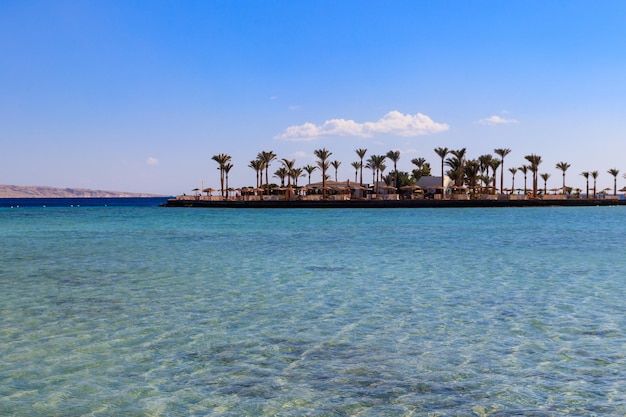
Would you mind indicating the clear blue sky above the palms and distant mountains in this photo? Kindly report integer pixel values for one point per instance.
(138, 95)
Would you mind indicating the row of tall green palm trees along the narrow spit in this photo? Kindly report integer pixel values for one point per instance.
(461, 170)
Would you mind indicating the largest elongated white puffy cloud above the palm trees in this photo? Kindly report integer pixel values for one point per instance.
(393, 123)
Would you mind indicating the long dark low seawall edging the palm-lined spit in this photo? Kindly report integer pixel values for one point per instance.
(419, 203)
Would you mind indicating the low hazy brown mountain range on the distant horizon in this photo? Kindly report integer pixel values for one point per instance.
(35, 191)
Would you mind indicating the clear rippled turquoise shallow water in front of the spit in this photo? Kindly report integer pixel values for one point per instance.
(151, 311)
